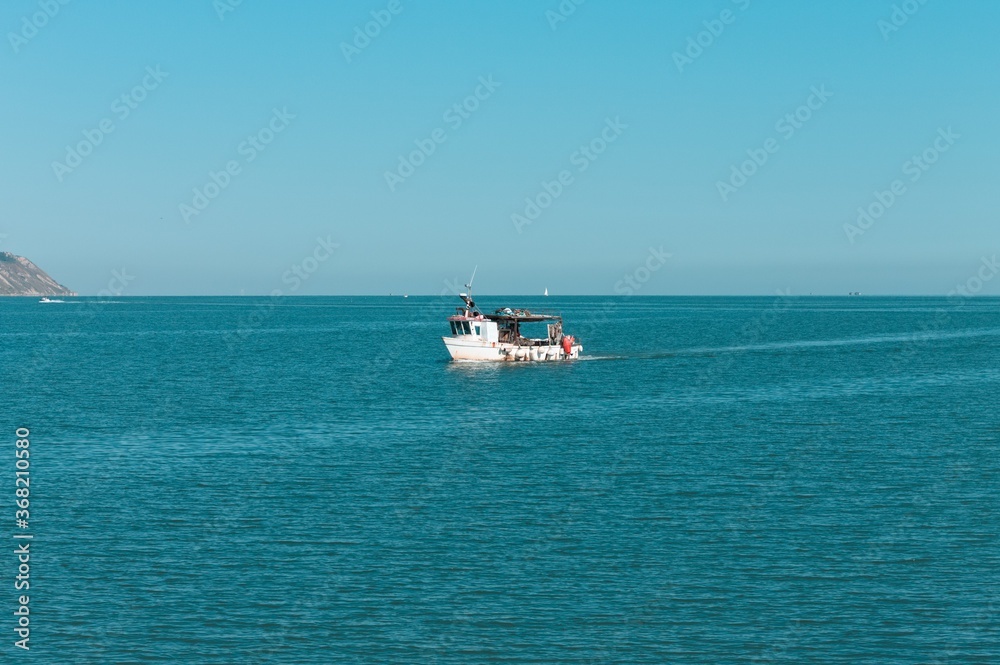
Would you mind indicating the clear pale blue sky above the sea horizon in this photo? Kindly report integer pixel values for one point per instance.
(656, 185)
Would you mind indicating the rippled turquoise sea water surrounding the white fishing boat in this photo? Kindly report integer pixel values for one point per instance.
(721, 480)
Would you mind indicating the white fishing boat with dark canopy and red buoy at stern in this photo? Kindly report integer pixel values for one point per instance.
(498, 336)
